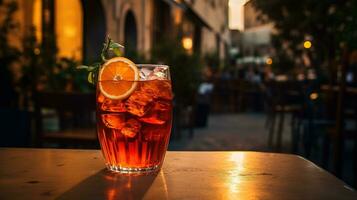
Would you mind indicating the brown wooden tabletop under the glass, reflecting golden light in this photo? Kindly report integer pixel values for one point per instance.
(80, 174)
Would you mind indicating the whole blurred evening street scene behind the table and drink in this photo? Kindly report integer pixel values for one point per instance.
(275, 76)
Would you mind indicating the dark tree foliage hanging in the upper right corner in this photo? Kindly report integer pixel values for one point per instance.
(327, 23)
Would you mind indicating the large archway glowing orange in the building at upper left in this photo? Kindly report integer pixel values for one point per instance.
(79, 27)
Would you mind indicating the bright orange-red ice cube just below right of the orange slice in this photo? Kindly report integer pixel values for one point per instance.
(138, 103)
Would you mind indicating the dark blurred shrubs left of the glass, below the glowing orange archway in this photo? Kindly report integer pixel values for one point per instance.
(43, 71)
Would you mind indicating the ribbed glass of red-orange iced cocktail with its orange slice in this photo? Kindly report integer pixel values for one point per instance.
(134, 115)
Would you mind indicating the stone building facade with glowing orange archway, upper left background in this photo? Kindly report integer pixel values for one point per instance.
(79, 27)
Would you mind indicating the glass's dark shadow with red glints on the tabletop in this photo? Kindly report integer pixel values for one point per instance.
(109, 185)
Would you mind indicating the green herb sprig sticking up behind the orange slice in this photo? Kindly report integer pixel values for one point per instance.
(93, 69)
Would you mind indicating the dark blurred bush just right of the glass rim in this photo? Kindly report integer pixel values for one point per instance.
(185, 69)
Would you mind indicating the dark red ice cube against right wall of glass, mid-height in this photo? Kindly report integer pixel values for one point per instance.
(158, 113)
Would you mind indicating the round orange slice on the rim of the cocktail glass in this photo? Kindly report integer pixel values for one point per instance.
(118, 78)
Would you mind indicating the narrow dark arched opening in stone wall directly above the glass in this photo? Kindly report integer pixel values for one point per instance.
(130, 34)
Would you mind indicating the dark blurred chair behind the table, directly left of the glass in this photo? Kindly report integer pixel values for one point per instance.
(65, 120)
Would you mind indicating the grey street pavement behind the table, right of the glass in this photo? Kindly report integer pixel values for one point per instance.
(229, 132)
